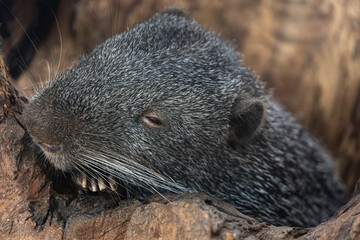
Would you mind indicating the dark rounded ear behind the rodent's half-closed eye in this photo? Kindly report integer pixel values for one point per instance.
(247, 119)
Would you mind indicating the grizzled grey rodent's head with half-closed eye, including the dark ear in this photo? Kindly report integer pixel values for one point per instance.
(166, 94)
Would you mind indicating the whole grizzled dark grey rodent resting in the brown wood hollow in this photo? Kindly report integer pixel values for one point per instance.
(168, 107)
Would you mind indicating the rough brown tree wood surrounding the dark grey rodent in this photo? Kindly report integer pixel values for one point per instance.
(308, 51)
